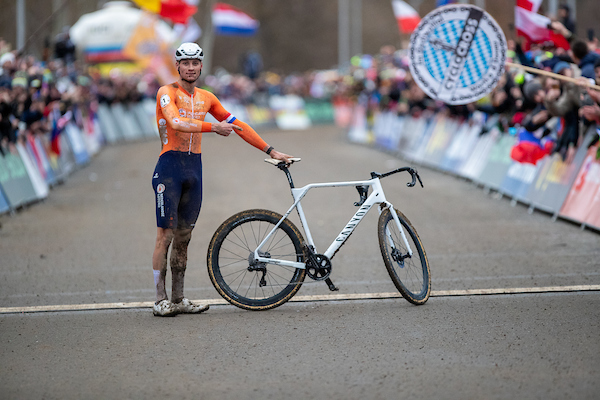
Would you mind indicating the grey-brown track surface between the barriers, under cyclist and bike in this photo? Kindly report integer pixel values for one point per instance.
(91, 242)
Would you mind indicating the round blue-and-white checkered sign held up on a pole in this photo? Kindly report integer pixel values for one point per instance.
(457, 54)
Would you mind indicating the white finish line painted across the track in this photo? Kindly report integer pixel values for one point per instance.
(298, 299)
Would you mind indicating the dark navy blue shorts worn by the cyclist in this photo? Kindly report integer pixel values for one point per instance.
(177, 183)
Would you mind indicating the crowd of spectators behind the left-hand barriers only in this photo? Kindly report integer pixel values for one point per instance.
(38, 97)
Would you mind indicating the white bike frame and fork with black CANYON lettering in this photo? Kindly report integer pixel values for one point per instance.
(376, 197)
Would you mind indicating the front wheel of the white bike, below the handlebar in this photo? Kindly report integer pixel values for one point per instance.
(410, 273)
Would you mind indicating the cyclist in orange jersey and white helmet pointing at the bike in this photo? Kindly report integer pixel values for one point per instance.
(177, 179)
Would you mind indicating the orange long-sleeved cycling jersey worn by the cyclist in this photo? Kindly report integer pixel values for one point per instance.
(180, 118)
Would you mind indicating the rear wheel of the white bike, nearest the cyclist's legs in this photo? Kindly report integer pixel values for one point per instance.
(244, 282)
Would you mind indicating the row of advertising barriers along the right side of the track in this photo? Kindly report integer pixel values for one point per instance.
(478, 151)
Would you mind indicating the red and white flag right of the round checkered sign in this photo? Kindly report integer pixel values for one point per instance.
(534, 27)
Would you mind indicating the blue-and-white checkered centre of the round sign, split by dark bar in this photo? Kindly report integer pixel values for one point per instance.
(437, 60)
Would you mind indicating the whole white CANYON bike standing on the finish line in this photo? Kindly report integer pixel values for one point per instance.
(258, 259)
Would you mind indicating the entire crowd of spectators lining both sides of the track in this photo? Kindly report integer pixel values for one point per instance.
(35, 95)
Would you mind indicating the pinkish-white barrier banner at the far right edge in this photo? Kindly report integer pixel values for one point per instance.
(583, 201)
